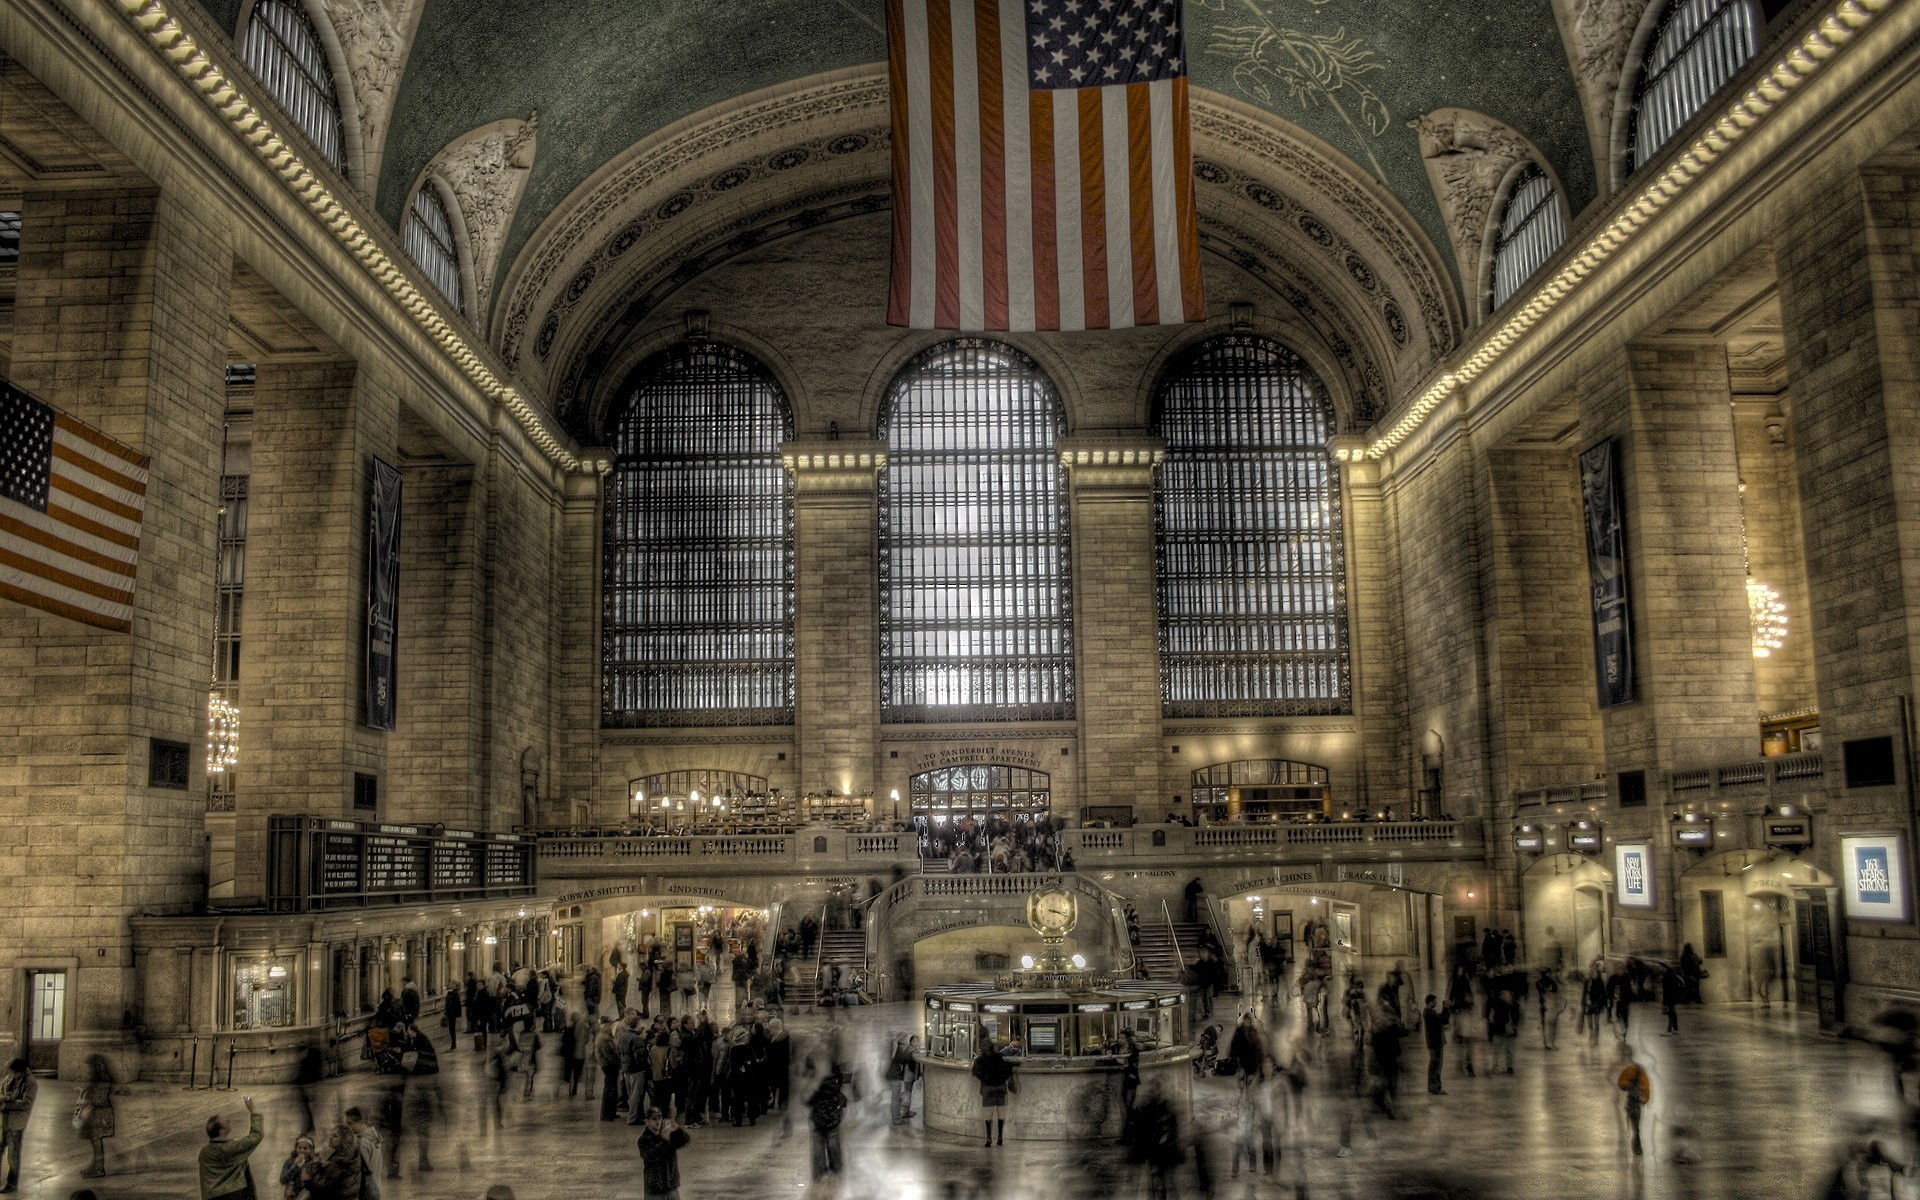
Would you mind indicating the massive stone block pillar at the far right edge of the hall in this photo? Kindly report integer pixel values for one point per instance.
(1848, 258)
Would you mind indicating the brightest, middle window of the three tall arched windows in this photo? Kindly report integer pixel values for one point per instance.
(976, 617)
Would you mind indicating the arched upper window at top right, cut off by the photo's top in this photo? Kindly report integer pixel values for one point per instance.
(1696, 49)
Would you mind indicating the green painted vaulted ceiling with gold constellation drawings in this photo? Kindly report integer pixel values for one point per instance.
(606, 74)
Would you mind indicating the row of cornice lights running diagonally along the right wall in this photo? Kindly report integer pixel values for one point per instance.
(1840, 26)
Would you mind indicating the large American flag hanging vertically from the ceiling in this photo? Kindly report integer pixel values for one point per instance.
(1042, 166)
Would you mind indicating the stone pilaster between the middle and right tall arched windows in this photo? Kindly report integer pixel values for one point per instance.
(1116, 623)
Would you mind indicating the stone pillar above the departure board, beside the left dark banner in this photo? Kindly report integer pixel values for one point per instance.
(318, 429)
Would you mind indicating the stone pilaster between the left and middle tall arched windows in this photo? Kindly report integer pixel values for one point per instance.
(836, 636)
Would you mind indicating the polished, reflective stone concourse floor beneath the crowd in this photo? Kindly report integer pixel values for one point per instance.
(1767, 1097)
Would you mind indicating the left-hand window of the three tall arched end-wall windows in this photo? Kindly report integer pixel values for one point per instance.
(698, 579)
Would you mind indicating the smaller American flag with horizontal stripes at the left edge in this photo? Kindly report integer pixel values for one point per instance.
(70, 514)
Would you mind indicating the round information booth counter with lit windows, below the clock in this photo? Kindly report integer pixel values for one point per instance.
(1070, 1072)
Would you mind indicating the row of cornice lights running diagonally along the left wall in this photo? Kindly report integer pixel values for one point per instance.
(220, 93)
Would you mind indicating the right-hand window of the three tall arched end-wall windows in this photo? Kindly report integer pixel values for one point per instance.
(1251, 554)
